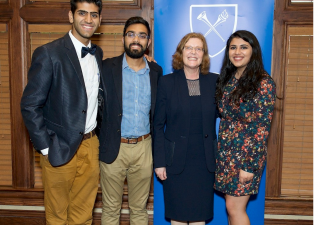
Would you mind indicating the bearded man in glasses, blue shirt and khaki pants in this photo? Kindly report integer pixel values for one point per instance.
(129, 89)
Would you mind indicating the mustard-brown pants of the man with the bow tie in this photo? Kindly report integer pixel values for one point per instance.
(70, 190)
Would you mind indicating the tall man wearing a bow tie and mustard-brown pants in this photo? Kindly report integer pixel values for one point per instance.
(59, 108)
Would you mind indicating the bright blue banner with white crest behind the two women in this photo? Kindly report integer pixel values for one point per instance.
(216, 20)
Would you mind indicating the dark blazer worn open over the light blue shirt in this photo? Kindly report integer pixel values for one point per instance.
(110, 132)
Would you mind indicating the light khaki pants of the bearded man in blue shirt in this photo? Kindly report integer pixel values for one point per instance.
(134, 162)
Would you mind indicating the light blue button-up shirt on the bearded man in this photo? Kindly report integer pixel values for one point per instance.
(136, 100)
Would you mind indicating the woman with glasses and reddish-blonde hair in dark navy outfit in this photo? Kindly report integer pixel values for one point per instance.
(184, 133)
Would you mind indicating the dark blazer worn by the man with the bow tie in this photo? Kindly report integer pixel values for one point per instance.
(54, 102)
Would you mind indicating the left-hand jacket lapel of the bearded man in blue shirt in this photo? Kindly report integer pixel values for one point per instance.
(117, 77)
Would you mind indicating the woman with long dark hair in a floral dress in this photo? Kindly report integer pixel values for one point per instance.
(245, 96)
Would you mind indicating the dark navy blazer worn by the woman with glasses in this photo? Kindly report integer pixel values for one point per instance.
(172, 113)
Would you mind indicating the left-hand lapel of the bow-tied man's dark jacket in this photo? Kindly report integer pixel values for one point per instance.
(73, 57)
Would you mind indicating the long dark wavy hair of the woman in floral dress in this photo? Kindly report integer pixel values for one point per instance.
(249, 81)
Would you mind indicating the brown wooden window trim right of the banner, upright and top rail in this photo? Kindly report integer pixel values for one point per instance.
(284, 14)
